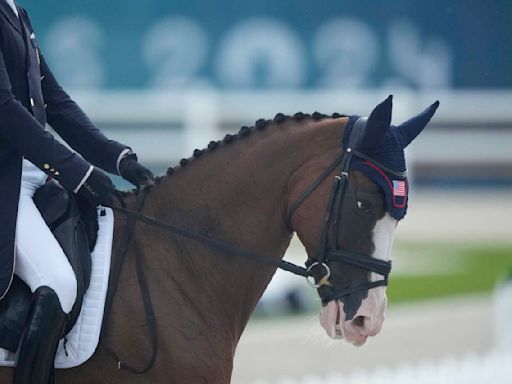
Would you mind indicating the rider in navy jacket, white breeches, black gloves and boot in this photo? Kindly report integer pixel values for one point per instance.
(30, 97)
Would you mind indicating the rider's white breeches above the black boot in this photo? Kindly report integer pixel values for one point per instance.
(40, 260)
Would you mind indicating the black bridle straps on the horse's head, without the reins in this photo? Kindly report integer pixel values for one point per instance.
(328, 251)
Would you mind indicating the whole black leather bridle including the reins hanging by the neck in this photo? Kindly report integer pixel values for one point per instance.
(327, 251)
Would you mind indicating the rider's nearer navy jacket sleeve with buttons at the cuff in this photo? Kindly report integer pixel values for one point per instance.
(24, 133)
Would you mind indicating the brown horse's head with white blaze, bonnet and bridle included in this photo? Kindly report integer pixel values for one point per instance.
(349, 252)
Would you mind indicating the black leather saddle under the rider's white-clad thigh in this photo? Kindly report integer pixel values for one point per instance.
(74, 223)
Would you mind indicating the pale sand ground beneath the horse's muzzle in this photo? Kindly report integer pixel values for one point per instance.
(297, 346)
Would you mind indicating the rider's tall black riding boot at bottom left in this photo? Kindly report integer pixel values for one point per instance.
(36, 352)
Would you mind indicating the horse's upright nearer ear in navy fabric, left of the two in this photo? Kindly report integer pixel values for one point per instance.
(377, 125)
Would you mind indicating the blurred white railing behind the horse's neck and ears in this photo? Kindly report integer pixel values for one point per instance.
(471, 126)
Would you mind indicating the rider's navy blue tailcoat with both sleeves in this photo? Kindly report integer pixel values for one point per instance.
(30, 97)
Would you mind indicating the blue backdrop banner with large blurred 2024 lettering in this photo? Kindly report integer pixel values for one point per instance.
(290, 44)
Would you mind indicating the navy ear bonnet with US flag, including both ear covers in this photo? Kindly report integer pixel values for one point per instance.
(378, 151)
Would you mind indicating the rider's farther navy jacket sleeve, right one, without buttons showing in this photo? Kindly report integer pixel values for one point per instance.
(73, 125)
